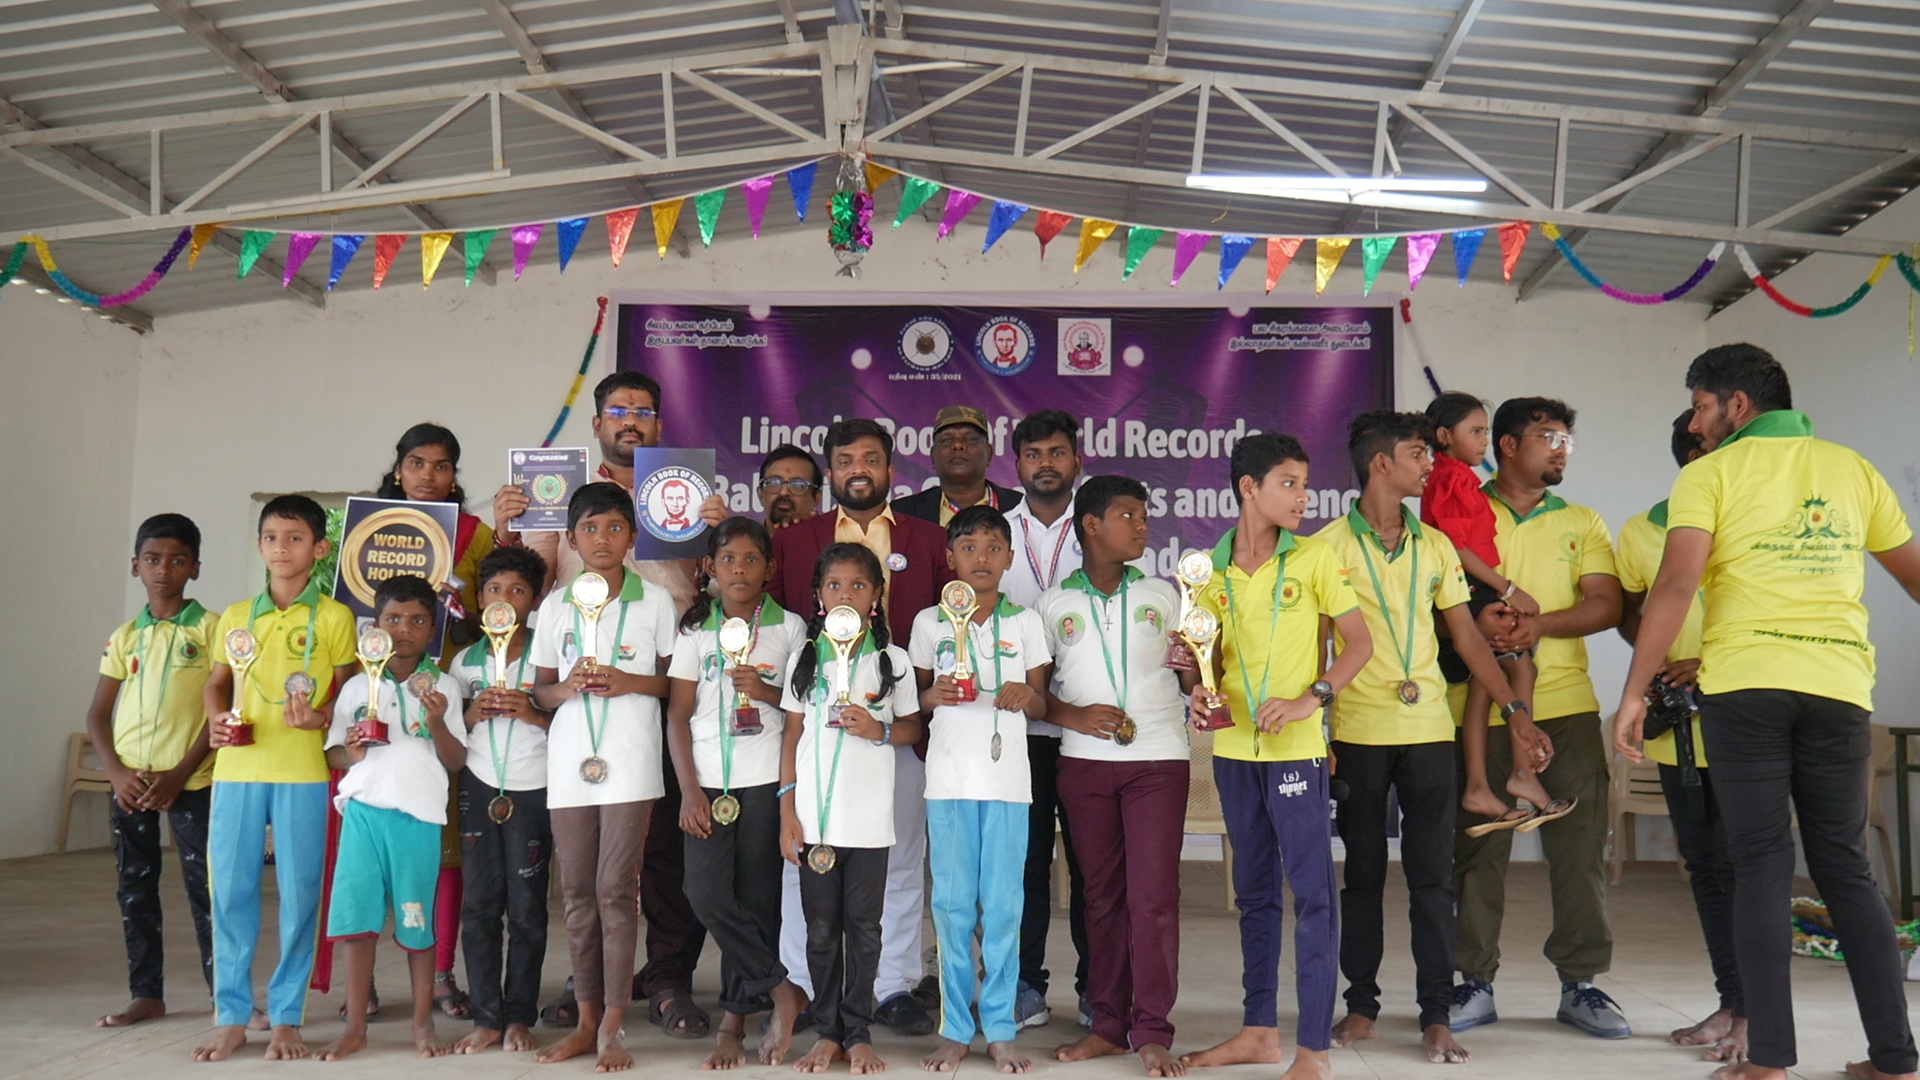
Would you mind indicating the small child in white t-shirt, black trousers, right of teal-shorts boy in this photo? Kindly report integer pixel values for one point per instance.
(506, 833)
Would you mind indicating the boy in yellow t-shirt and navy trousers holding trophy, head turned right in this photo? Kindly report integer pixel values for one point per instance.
(1270, 591)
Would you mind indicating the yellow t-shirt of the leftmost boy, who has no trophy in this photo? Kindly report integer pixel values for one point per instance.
(164, 668)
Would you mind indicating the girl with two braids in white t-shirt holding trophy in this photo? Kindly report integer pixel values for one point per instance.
(836, 800)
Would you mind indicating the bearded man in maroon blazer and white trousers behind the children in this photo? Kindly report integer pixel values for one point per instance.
(915, 560)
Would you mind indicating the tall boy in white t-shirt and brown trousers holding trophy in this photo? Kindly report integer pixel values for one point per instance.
(604, 762)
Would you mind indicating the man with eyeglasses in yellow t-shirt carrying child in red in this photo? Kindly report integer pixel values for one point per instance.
(1562, 554)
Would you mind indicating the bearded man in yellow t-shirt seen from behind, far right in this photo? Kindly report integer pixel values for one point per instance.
(1779, 526)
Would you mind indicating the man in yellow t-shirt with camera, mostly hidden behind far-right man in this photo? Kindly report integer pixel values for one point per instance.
(1700, 833)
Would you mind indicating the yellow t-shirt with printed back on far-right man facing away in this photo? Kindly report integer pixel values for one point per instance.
(1792, 522)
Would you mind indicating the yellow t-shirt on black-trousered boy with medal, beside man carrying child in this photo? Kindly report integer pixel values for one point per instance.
(1422, 576)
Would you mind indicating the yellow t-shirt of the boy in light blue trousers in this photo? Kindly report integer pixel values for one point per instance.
(314, 635)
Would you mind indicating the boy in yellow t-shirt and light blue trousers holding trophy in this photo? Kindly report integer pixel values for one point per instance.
(304, 650)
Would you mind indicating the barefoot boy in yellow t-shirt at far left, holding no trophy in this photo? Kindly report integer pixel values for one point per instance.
(151, 733)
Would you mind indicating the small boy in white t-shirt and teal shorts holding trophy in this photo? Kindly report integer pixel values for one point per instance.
(393, 806)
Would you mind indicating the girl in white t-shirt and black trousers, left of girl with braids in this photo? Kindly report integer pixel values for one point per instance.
(725, 729)
